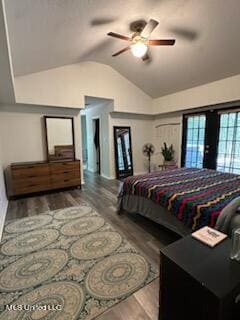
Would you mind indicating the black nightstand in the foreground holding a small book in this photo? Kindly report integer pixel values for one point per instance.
(198, 282)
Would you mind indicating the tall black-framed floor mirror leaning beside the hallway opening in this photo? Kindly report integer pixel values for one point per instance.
(123, 152)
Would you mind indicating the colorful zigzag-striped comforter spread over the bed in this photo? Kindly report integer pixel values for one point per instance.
(195, 196)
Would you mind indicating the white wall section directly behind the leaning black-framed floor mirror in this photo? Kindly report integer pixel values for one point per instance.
(141, 133)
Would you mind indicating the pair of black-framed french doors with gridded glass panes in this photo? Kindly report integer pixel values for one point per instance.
(211, 140)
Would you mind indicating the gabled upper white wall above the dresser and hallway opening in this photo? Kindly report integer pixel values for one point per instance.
(67, 86)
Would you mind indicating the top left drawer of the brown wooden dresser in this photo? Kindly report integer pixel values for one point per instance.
(29, 171)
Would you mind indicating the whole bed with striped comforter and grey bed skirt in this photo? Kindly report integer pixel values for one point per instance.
(184, 199)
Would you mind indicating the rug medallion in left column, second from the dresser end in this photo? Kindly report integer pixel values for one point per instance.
(29, 242)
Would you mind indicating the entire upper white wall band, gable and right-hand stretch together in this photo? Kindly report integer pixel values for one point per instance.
(67, 86)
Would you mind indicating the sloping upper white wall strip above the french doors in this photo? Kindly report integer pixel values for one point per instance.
(215, 92)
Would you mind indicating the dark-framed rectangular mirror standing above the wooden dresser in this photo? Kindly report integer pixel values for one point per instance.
(59, 138)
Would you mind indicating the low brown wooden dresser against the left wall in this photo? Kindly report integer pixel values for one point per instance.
(31, 177)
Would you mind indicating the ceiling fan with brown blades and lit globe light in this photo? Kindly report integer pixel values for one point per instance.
(139, 41)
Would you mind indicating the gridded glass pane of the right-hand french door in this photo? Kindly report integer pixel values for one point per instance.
(228, 155)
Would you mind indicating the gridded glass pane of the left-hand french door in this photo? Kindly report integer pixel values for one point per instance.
(195, 141)
